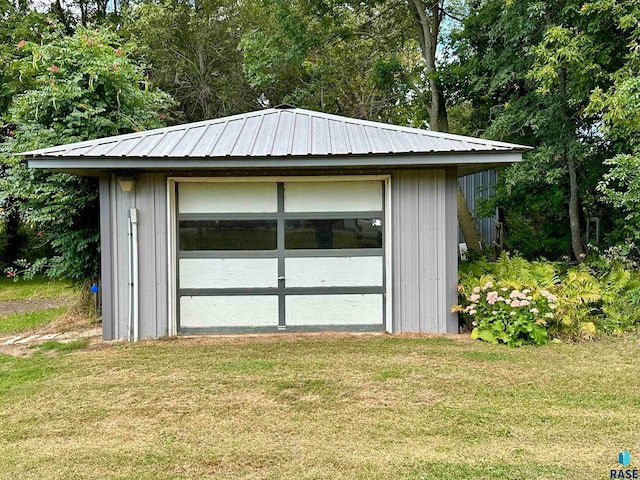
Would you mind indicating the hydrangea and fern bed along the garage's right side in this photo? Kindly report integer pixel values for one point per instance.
(516, 302)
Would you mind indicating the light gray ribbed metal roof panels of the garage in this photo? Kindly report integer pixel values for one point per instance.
(283, 131)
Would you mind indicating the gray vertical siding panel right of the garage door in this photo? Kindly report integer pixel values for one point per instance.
(424, 243)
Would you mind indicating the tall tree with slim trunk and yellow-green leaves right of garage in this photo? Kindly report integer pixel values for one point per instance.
(530, 68)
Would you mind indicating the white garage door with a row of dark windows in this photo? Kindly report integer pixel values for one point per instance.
(267, 256)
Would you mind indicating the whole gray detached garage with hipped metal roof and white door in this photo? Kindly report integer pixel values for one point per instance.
(278, 220)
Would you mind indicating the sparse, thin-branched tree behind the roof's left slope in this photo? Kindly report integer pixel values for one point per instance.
(192, 50)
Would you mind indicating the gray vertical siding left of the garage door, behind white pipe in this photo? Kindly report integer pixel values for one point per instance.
(150, 198)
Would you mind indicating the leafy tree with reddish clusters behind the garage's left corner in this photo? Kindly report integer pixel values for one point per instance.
(81, 86)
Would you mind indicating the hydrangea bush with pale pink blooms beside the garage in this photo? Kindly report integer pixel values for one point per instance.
(501, 314)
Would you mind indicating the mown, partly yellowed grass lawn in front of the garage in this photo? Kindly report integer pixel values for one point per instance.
(320, 407)
